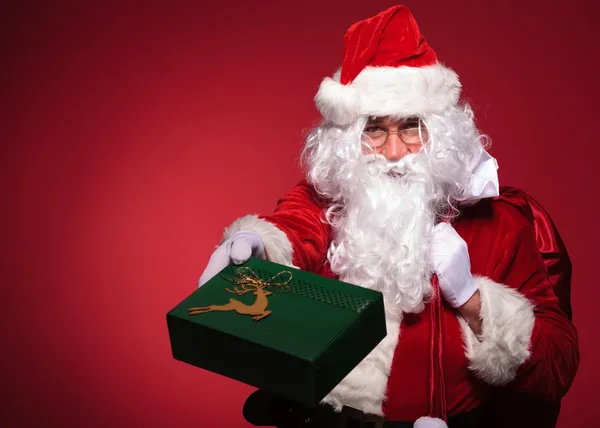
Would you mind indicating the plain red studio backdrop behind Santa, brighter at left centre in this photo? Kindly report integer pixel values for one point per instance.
(135, 133)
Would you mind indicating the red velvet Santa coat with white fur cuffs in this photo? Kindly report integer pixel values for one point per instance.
(528, 347)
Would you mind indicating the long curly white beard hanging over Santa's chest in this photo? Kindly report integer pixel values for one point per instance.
(382, 232)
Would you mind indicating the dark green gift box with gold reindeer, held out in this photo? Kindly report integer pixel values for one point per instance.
(290, 332)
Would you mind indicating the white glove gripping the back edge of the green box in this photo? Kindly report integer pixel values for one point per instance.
(237, 250)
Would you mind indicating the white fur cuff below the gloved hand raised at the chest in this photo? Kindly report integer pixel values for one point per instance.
(504, 344)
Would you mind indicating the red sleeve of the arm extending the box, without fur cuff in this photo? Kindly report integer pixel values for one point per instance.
(300, 215)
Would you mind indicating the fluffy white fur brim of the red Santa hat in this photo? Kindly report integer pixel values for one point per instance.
(384, 91)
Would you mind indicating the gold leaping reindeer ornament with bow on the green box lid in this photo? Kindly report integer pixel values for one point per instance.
(247, 281)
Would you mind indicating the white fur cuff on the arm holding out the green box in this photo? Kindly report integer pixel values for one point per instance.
(277, 245)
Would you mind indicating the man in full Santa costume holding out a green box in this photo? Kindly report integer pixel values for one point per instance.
(401, 196)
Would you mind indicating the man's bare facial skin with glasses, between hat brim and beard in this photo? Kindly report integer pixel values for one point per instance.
(394, 139)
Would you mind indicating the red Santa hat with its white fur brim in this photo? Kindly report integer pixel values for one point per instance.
(388, 69)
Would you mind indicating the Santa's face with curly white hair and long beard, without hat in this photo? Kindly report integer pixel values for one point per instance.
(389, 181)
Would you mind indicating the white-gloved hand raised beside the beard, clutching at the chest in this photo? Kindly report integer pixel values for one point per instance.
(449, 258)
